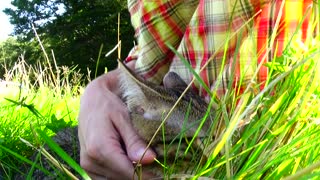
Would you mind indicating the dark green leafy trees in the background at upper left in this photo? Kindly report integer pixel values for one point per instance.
(74, 29)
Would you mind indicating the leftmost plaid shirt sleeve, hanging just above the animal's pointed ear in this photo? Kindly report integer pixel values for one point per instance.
(156, 24)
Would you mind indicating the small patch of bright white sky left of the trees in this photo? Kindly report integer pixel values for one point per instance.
(5, 27)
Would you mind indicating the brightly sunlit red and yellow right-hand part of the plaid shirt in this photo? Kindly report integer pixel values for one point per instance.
(279, 23)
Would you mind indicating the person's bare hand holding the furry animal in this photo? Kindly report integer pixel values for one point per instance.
(103, 125)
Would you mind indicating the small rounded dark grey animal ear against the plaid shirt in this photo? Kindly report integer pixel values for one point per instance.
(173, 80)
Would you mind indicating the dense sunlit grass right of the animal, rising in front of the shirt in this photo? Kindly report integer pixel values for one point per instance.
(272, 133)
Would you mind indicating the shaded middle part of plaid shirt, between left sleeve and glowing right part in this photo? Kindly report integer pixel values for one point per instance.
(214, 31)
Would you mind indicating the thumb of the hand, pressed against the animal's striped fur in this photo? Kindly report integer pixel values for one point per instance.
(134, 145)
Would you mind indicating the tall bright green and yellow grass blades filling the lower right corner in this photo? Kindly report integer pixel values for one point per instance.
(281, 125)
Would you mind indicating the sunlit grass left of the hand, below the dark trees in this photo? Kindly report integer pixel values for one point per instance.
(34, 97)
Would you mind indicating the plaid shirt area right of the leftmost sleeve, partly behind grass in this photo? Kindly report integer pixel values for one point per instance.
(239, 37)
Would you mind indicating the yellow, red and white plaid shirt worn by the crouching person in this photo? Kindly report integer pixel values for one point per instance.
(200, 29)
